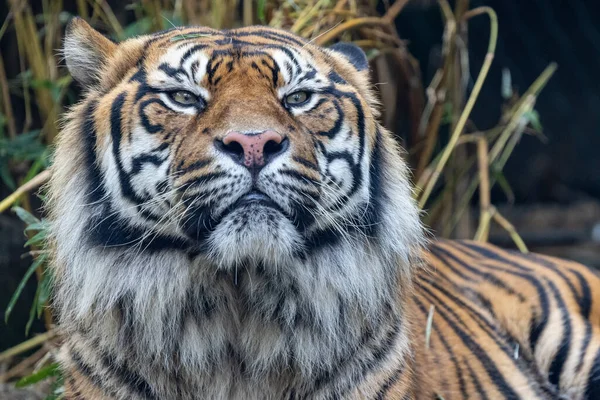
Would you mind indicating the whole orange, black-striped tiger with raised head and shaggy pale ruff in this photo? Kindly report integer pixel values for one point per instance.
(229, 220)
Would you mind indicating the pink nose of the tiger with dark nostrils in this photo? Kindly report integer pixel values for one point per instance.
(254, 150)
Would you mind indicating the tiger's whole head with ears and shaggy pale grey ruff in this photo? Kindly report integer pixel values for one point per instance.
(227, 188)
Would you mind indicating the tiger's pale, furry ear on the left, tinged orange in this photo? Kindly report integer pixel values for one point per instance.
(86, 51)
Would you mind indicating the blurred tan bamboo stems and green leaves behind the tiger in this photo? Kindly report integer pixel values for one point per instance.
(452, 159)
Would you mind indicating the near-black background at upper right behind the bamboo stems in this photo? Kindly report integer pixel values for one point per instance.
(532, 34)
